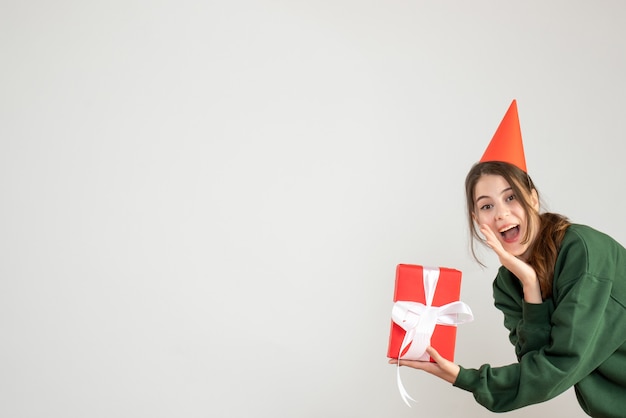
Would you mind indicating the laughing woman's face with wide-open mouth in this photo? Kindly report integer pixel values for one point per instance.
(497, 207)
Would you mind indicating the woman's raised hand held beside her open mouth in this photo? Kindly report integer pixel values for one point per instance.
(522, 270)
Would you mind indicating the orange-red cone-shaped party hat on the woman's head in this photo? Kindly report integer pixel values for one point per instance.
(506, 144)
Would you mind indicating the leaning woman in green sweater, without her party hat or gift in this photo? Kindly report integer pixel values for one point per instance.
(562, 290)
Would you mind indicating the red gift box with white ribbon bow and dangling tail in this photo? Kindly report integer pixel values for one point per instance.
(426, 312)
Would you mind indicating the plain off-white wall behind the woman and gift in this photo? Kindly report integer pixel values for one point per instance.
(203, 202)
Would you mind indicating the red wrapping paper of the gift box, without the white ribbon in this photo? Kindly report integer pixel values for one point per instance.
(410, 286)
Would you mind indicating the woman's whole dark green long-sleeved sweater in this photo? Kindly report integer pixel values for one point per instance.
(576, 338)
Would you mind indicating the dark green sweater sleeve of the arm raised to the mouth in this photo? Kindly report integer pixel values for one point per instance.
(528, 323)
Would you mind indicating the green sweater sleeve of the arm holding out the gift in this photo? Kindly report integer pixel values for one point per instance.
(580, 338)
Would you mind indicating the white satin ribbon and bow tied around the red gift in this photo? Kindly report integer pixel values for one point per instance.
(419, 321)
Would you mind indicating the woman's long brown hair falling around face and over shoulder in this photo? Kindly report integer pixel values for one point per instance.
(551, 227)
